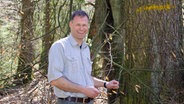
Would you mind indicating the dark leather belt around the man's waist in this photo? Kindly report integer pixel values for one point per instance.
(76, 99)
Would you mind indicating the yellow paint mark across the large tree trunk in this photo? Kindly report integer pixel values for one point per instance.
(155, 7)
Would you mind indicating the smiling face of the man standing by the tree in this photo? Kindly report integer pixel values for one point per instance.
(79, 27)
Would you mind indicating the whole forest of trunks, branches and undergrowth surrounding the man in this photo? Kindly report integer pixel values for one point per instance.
(137, 42)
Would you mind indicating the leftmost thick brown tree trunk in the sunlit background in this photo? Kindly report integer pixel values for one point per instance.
(26, 51)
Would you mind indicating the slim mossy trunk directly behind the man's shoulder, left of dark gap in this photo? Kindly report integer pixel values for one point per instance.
(95, 34)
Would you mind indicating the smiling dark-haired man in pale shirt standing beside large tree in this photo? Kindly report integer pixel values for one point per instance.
(70, 66)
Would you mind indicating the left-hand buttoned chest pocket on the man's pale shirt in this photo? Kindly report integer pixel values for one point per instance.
(71, 64)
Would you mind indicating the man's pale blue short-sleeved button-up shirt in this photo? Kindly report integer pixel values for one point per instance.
(67, 59)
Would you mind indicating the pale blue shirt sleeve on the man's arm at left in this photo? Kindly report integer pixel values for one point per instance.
(55, 62)
